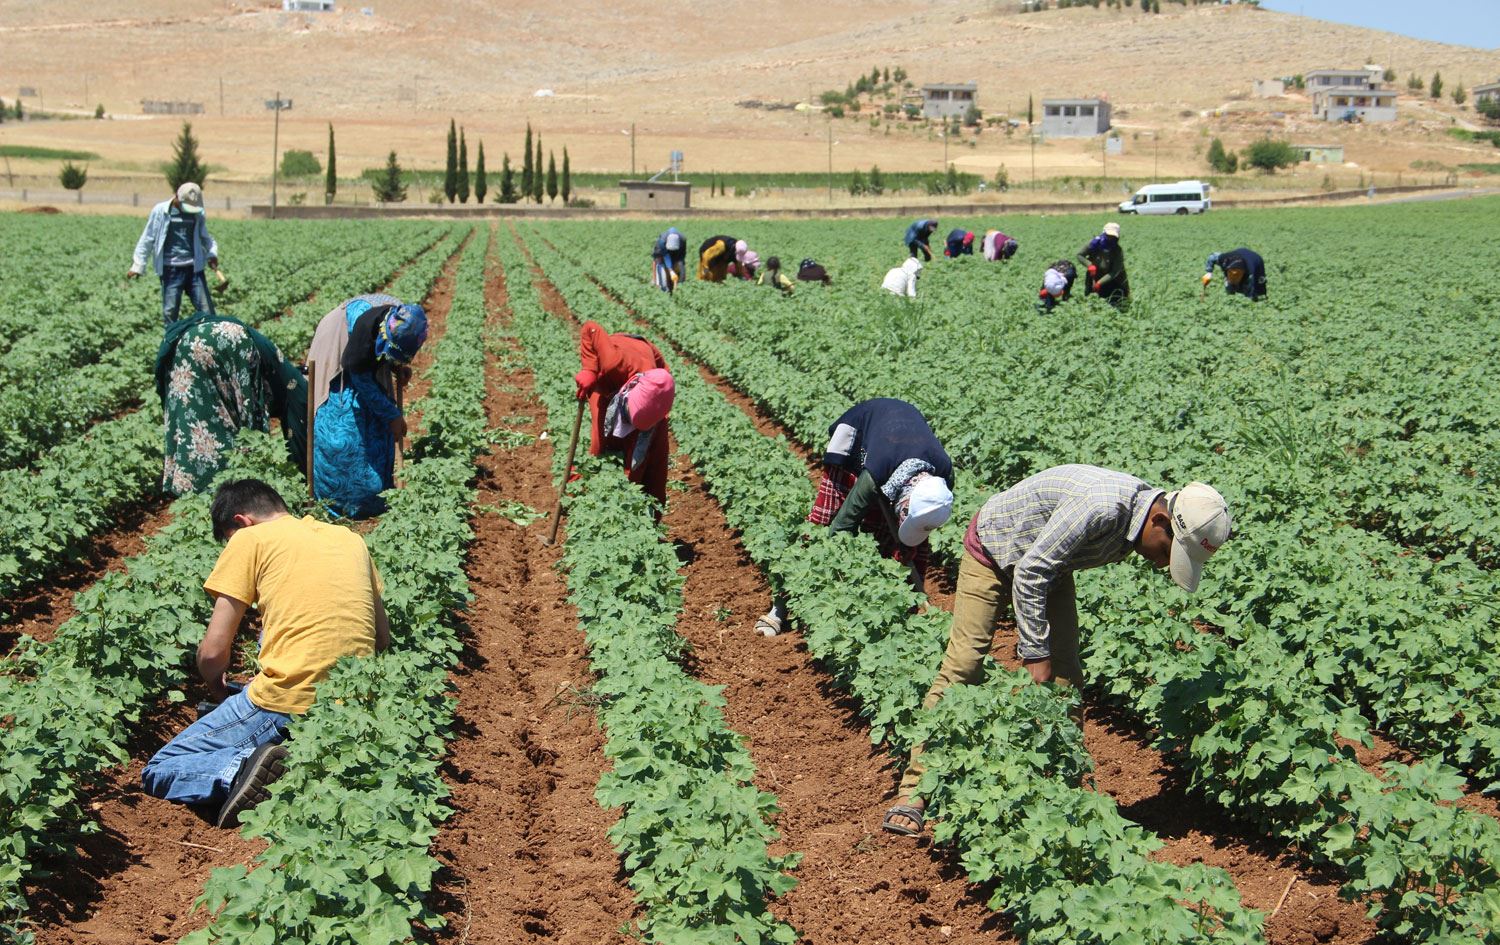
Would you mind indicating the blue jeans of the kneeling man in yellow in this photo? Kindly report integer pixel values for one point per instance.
(200, 764)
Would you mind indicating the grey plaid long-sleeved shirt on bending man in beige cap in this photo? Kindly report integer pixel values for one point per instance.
(1060, 521)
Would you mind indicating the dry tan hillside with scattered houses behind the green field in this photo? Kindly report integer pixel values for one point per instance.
(677, 71)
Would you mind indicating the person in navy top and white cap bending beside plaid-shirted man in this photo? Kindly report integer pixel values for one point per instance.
(884, 470)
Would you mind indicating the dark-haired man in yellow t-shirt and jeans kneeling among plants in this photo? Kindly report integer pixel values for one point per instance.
(320, 599)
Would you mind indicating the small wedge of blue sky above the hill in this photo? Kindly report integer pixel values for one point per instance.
(1465, 23)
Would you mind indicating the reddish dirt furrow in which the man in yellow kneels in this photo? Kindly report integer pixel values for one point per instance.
(137, 878)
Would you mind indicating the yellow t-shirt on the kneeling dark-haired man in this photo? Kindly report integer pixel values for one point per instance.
(316, 589)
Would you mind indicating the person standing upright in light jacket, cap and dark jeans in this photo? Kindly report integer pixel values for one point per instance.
(176, 239)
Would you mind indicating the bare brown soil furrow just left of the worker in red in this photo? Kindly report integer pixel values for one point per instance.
(524, 856)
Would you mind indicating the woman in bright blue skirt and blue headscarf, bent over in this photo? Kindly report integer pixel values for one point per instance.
(362, 353)
